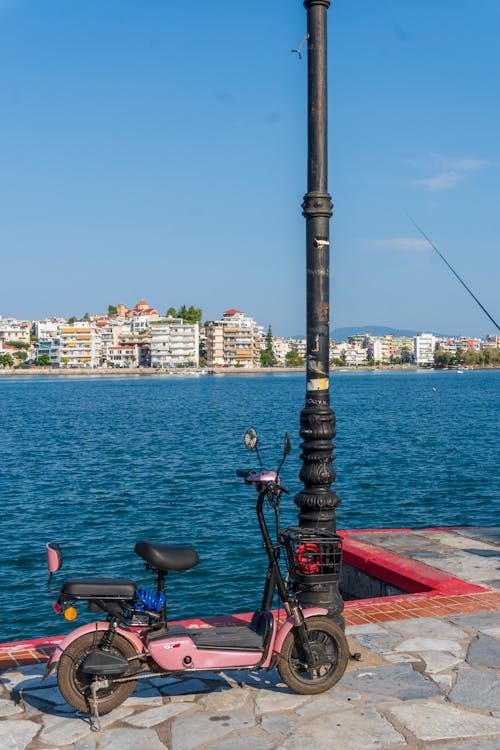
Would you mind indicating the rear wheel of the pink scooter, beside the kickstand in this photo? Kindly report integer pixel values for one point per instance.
(75, 684)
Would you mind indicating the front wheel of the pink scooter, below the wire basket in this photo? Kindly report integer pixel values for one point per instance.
(330, 649)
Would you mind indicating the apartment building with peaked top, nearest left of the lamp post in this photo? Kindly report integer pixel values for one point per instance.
(241, 340)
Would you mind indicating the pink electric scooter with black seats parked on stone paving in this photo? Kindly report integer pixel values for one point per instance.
(98, 664)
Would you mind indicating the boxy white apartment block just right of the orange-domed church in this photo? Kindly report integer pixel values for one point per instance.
(174, 343)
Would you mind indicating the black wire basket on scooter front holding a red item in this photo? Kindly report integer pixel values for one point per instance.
(313, 556)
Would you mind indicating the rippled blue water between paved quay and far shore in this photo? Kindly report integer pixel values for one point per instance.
(98, 463)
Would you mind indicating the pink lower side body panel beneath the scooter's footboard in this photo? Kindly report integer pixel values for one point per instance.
(179, 654)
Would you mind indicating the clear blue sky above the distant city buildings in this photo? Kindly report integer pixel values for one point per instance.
(157, 149)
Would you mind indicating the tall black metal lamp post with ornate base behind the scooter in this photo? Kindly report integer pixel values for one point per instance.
(317, 501)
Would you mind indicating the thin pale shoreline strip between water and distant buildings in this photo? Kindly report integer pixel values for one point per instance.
(196, 371)
